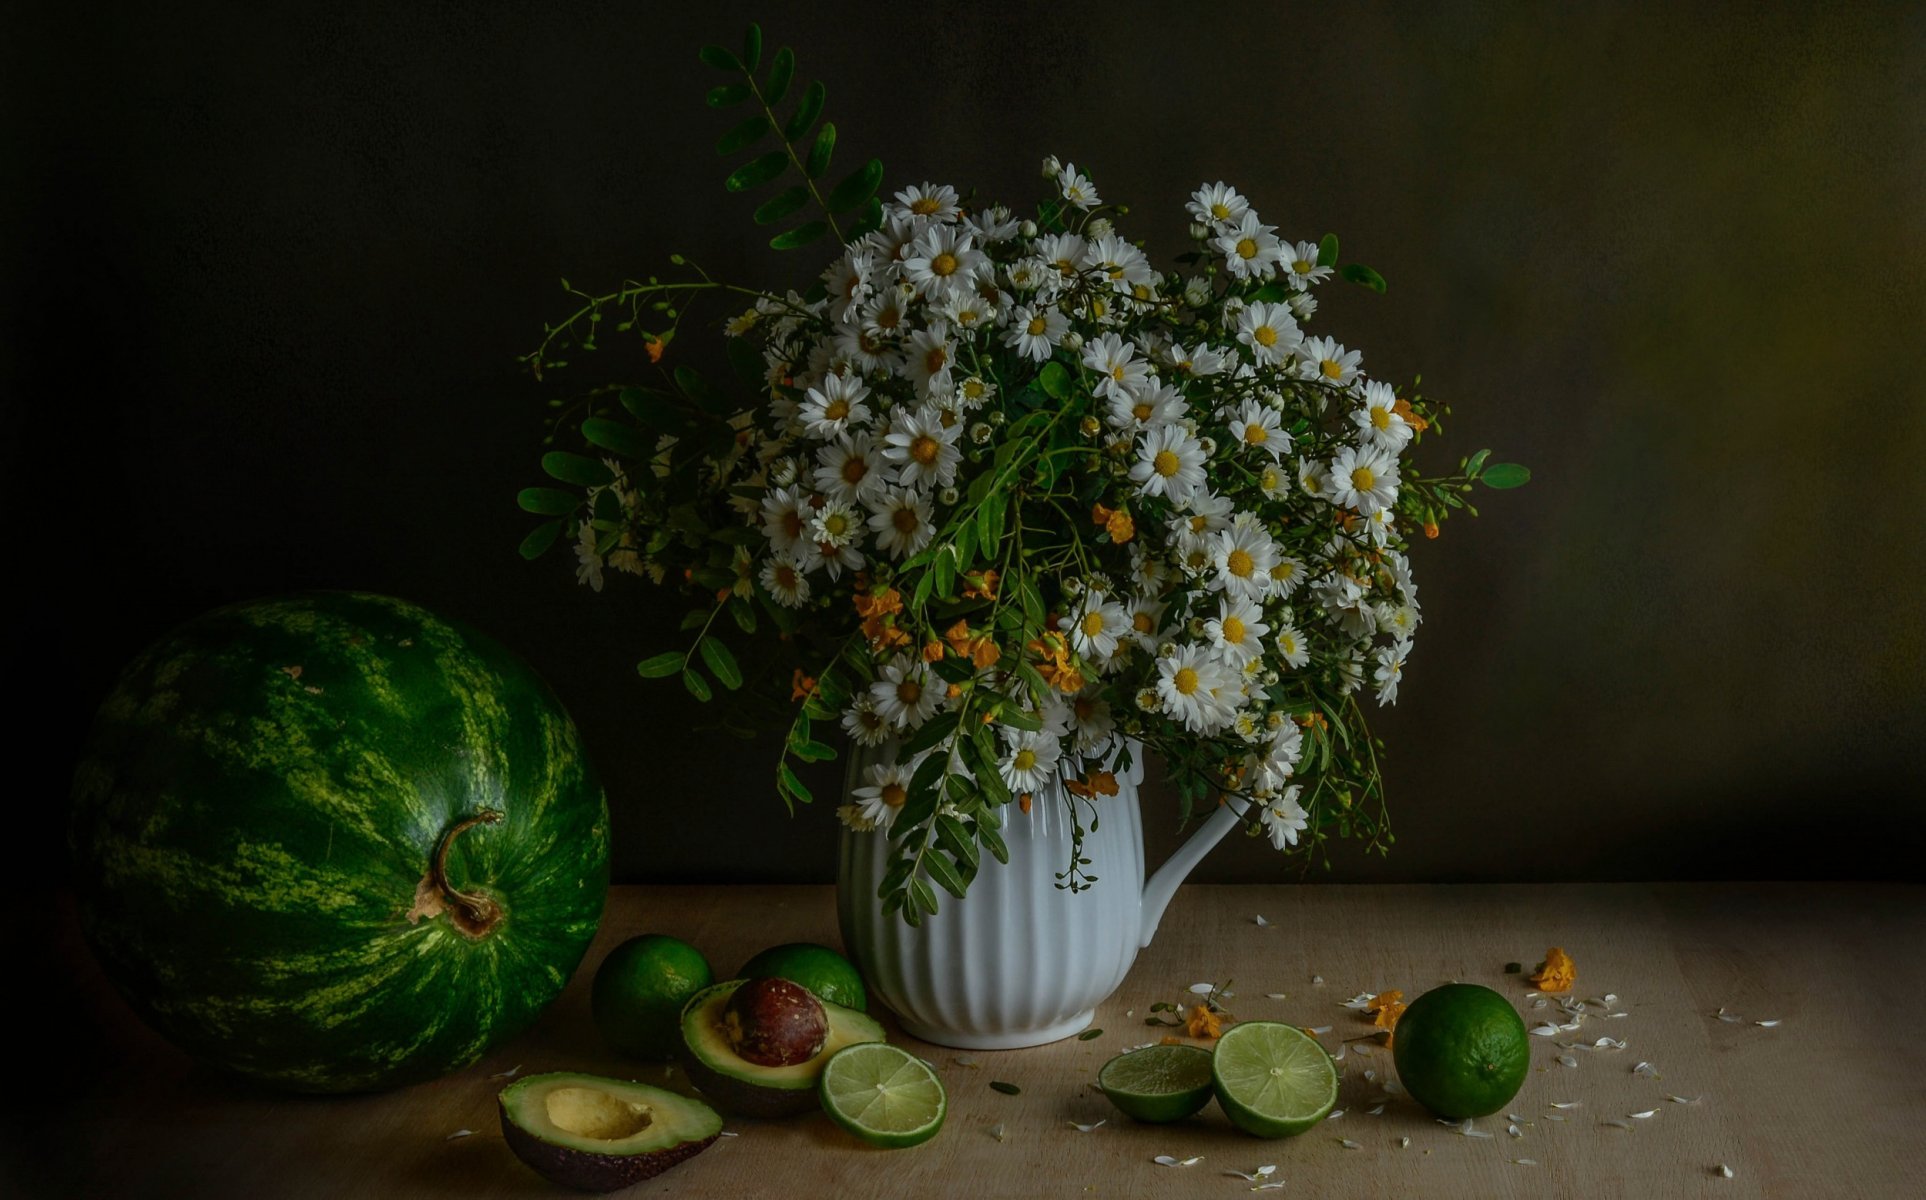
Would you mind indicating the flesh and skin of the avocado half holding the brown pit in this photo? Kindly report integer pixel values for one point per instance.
(744, 1087)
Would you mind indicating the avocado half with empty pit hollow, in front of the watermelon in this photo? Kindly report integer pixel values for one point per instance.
(600, 1135)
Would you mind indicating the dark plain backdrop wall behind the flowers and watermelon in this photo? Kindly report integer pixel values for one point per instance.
(269, 274)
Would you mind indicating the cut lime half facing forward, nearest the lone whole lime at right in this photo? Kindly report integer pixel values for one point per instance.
(1272, 1080)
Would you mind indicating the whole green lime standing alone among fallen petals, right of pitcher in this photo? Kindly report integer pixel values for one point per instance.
(1463, 1051)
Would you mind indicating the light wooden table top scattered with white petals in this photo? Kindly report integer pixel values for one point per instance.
(1827, 1103)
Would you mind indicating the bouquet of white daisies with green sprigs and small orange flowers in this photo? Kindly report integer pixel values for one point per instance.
(1018, 504)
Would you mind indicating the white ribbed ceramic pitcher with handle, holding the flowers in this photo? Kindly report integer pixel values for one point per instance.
(1018, 962)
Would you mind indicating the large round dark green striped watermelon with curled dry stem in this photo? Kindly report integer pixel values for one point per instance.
(336, 843)
